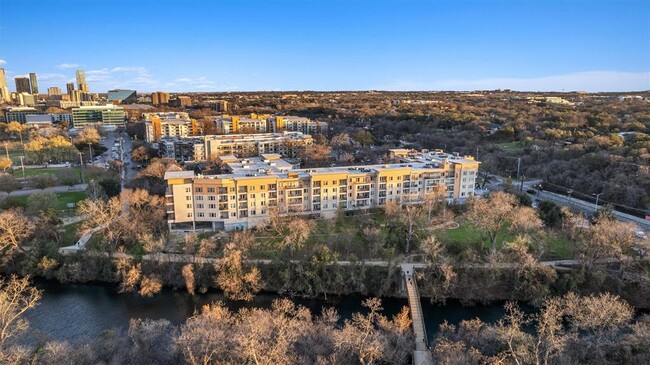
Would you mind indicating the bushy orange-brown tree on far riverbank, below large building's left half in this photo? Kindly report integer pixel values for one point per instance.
(233, 278)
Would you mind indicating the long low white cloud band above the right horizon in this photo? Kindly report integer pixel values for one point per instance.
(592, 81)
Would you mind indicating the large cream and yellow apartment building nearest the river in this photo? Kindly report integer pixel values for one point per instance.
(243, 198)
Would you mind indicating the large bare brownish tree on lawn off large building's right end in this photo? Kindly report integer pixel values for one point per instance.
(499, 216)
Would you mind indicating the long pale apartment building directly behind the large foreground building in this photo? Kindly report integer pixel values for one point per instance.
(287, 144)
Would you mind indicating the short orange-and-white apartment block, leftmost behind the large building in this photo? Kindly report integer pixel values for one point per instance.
(169, 124)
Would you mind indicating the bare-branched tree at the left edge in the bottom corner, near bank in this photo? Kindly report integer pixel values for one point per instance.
(17, 296)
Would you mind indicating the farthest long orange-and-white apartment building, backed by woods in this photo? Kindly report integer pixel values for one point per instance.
(264, 123)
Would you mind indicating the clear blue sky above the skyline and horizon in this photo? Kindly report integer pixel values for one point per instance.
(267, 45)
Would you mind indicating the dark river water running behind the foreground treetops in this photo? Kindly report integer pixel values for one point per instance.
(81, 312)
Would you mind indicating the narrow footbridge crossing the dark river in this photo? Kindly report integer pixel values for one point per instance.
(421, 355)
